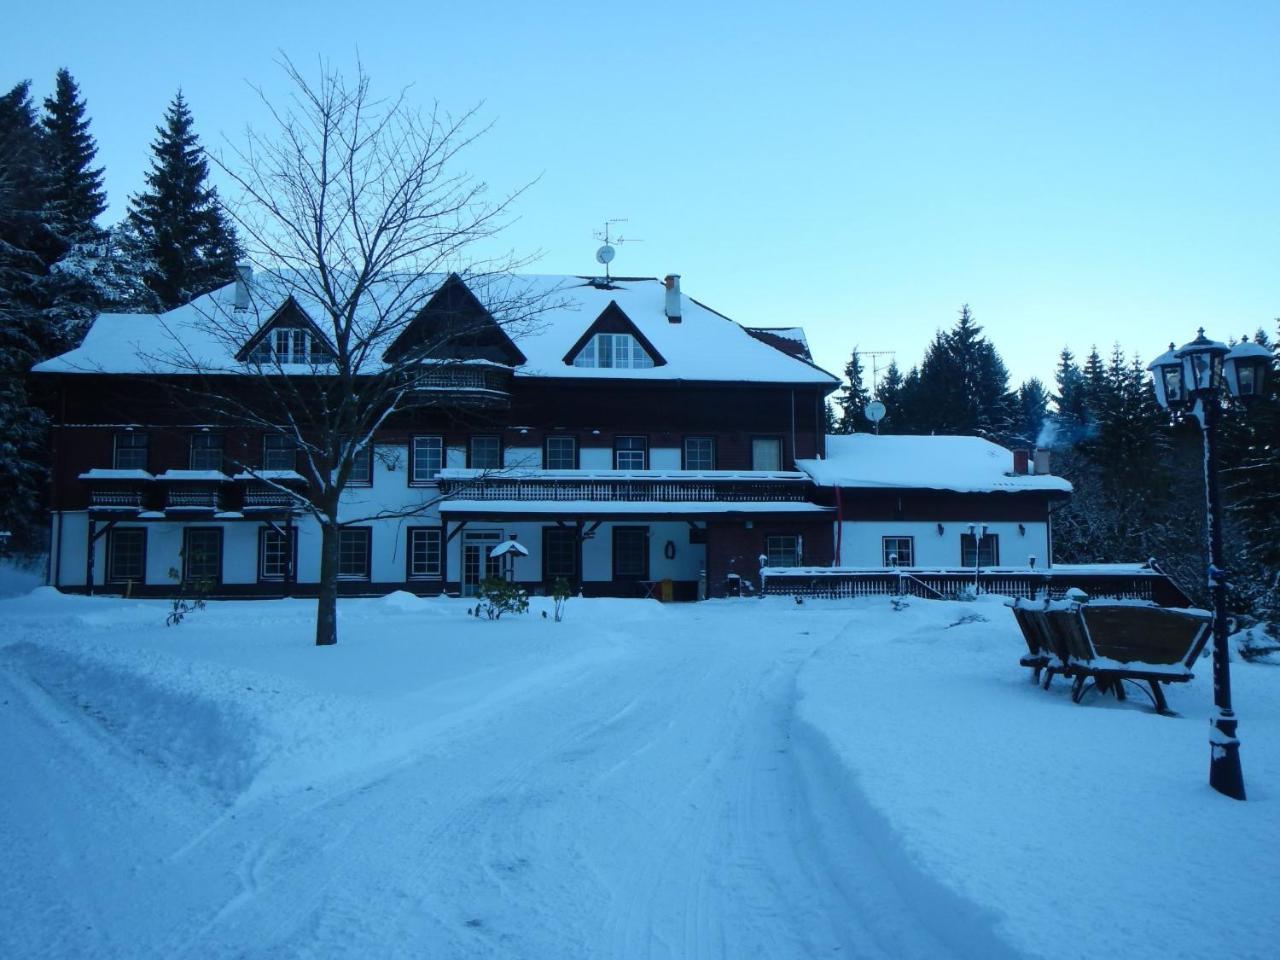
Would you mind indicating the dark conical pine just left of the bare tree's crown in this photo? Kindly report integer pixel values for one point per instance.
(189, 244)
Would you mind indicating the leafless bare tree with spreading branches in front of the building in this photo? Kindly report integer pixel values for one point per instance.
(353, 214)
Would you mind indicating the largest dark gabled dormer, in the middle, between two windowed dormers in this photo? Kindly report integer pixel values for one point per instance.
(455, 326)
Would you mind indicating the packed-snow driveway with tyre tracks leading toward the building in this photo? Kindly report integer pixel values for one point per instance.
(644, 801)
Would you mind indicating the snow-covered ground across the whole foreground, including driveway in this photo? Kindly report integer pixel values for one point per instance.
(739, 779)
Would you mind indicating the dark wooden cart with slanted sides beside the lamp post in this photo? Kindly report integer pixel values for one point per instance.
(1110, 642)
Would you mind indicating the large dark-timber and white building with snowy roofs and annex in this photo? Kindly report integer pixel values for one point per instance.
(627, 438)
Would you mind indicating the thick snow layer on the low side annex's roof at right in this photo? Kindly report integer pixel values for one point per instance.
(956, 464)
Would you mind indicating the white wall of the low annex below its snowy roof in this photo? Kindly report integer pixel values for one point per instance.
(861, 543)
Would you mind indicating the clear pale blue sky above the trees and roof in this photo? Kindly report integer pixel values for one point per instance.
(1078, 172)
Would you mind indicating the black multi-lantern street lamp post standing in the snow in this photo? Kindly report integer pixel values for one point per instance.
(1192, 380)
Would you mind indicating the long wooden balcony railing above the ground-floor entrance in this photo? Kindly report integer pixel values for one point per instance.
(624, 490)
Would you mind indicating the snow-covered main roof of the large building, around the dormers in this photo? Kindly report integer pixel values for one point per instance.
(208, 333)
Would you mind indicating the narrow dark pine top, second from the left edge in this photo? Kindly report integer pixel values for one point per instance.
(76, 195)
